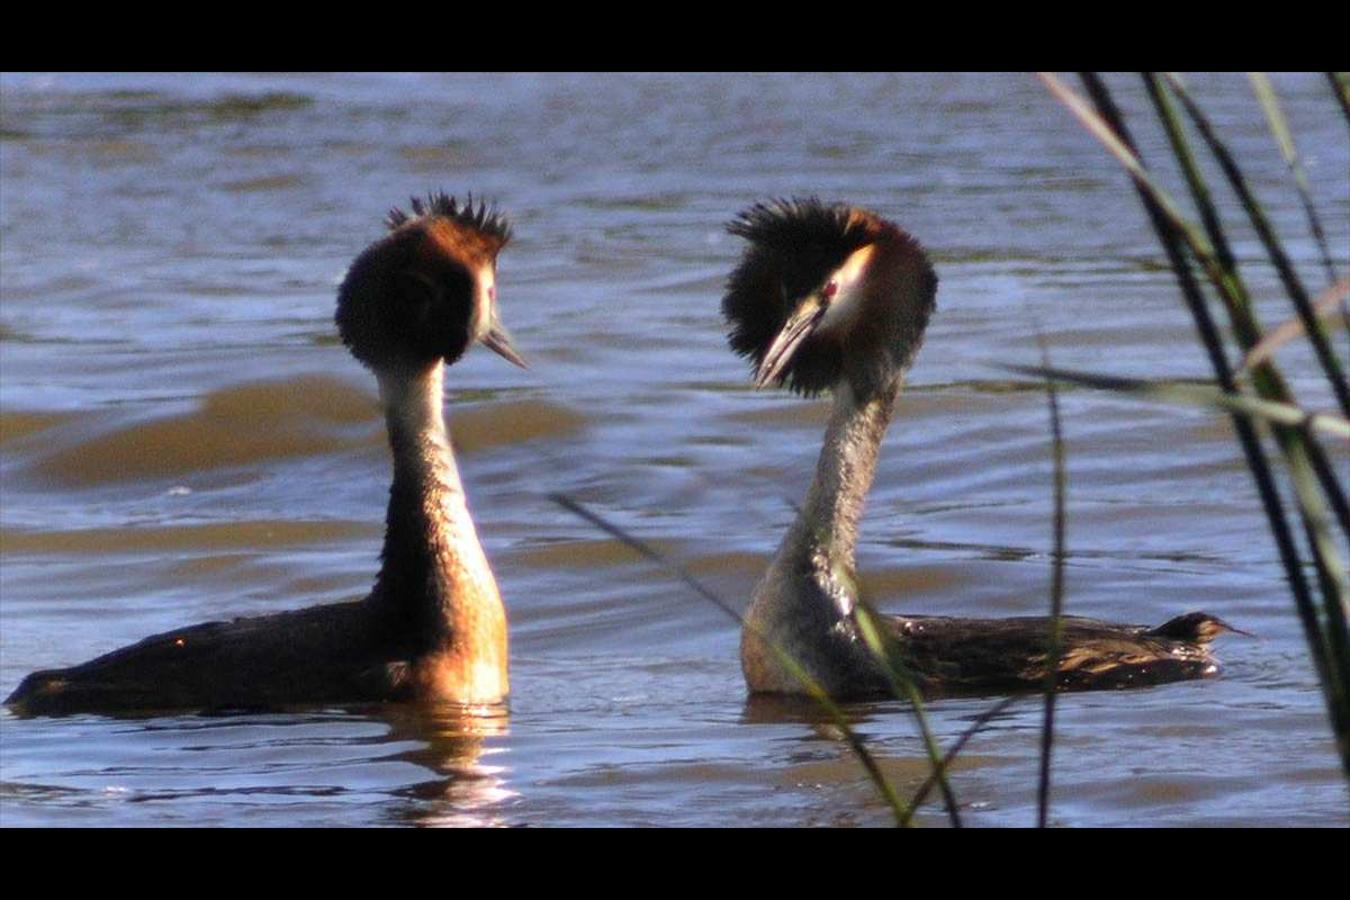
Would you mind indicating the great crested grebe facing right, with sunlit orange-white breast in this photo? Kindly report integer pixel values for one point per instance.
(434, 627)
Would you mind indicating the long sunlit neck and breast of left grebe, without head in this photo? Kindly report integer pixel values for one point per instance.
(435, 580)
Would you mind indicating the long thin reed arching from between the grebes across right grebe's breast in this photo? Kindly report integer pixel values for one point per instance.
(904, 814)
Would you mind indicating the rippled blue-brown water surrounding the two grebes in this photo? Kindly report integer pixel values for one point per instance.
(183, 439)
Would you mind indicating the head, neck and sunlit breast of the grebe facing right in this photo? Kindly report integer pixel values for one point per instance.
(411, 306)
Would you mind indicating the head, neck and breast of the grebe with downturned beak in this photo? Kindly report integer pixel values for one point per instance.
(827, 298)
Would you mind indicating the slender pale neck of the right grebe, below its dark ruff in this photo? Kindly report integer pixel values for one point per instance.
(826, 532)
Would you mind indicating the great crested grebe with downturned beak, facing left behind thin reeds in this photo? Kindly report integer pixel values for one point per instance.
(832, 298)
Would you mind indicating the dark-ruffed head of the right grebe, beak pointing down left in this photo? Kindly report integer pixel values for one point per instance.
(826, 293)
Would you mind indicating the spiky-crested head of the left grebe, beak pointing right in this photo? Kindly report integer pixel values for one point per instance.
(427, 292)
